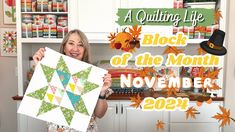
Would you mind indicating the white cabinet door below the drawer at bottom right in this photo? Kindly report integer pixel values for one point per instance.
(194, 127)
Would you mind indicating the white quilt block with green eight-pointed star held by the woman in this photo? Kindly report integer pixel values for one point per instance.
(63, 90)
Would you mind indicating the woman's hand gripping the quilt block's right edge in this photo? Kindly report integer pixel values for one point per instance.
(107, 84)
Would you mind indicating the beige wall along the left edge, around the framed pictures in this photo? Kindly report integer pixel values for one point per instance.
(8, 88)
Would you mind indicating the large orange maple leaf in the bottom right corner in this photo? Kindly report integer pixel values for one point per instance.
(224, 117)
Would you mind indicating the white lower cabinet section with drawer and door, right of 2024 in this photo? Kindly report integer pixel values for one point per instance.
(203, 122)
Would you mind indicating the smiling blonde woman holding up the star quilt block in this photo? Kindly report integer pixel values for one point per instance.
(75, 44)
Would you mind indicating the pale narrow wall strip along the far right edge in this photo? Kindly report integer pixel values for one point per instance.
(230, 66)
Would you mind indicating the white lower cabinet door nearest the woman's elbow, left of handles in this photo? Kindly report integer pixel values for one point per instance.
(110, 122)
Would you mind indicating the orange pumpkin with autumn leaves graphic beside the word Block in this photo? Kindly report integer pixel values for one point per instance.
(126, 41)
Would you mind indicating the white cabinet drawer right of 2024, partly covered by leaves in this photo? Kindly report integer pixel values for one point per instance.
(204, 114)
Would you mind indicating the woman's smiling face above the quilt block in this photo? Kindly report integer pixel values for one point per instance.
(74, 47)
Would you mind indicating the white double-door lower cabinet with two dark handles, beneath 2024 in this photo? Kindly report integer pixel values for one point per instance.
(120, 117)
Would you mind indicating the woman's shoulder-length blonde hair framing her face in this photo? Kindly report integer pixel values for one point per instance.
(86, 55)
